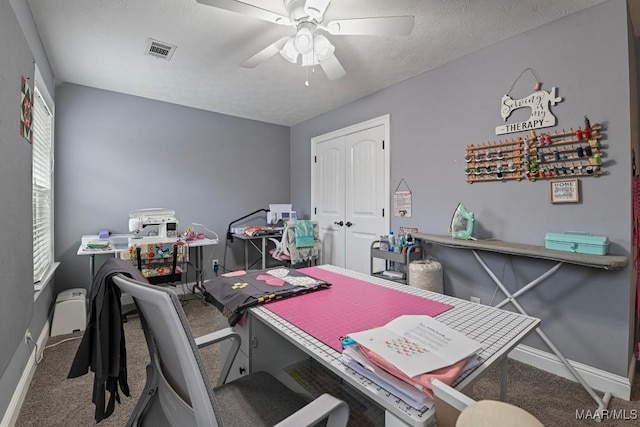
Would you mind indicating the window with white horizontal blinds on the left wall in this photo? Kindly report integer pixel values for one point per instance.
(42, 183)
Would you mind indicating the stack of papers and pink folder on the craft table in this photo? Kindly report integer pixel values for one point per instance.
(411, 350)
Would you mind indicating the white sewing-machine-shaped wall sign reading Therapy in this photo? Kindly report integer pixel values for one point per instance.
(540, 103)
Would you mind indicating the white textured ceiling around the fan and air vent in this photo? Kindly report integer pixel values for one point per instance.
(101, 44)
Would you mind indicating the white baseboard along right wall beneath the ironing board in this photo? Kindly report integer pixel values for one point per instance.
(598, 379)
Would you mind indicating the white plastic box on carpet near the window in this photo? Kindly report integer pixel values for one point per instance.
(70, 313)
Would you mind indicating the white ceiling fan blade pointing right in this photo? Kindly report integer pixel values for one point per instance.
(379, 26)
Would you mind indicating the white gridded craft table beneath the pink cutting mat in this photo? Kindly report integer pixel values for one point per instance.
(272, 342)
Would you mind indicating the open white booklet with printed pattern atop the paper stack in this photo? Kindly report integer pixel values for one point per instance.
(417, 344)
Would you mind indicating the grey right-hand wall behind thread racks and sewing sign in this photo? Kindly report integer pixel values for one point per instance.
(434, 116)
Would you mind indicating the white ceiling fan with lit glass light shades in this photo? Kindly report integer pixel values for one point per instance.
(309, 41)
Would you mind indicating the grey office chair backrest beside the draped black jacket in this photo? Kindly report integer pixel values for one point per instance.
(184, 396)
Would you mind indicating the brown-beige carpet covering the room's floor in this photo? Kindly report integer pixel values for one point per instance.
(54, 400)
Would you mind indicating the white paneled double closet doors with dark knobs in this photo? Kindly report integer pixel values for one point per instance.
(350, 191)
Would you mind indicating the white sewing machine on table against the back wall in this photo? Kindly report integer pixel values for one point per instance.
(153, 225)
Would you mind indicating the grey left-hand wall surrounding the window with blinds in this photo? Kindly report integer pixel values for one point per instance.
(19, 308)
